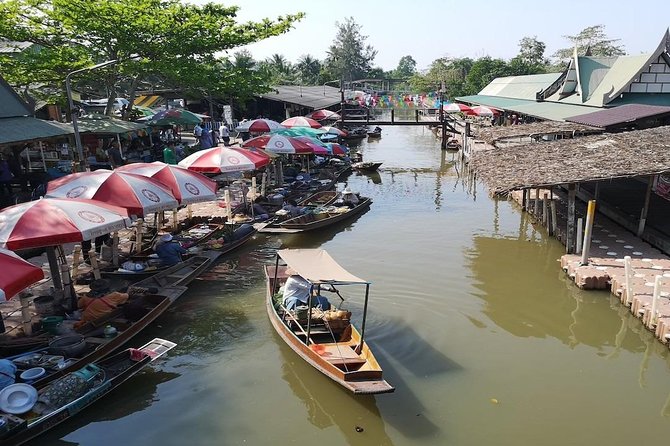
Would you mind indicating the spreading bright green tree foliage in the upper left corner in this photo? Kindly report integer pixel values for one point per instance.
(167, 36)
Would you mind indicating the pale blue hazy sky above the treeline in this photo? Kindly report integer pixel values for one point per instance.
(430, 29)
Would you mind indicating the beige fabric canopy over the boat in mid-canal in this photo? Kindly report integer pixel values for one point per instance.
(317, 266)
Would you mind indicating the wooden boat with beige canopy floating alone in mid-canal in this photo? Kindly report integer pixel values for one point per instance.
(327, 340)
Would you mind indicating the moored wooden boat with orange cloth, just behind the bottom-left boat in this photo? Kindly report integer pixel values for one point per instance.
(128, 320)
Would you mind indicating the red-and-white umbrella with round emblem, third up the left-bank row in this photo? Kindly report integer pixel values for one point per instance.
(186, 185)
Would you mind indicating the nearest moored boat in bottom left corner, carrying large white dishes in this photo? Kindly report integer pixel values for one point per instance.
(107, 374)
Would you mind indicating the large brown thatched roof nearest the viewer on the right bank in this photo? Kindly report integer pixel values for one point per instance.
(596, 157)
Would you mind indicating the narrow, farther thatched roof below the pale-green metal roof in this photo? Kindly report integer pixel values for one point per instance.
(496, 133)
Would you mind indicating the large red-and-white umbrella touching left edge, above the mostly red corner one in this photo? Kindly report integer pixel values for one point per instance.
(54, 221)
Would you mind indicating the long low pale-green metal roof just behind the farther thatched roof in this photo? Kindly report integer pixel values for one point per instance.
(543, 110)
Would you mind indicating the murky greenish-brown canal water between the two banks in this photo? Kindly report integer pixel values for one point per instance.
(481, 333)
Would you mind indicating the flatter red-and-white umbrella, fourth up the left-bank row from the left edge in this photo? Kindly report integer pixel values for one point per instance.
(224, 159)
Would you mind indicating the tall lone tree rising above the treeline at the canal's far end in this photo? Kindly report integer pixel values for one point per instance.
(349, 58)
